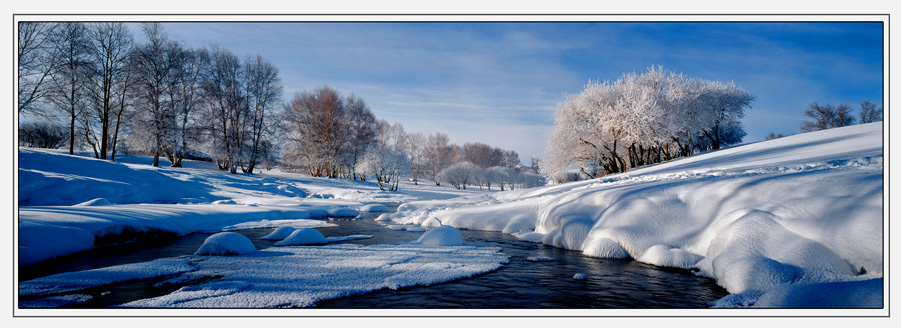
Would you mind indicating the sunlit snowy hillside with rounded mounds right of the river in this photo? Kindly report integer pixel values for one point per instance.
(792, 222)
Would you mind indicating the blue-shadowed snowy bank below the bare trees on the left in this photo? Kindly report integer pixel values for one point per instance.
(55, 189)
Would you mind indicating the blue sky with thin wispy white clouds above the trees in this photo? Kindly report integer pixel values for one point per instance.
(499, 83)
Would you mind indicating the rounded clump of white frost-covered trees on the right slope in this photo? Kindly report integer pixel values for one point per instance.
(641, 119)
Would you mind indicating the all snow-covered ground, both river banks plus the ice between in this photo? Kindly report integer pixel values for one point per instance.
(792, 222)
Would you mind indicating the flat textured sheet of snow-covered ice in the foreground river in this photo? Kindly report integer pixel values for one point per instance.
(300, 276)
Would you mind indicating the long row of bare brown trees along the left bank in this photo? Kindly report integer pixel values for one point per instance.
(165, 99)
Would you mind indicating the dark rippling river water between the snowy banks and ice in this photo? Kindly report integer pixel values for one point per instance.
(519, 284)
